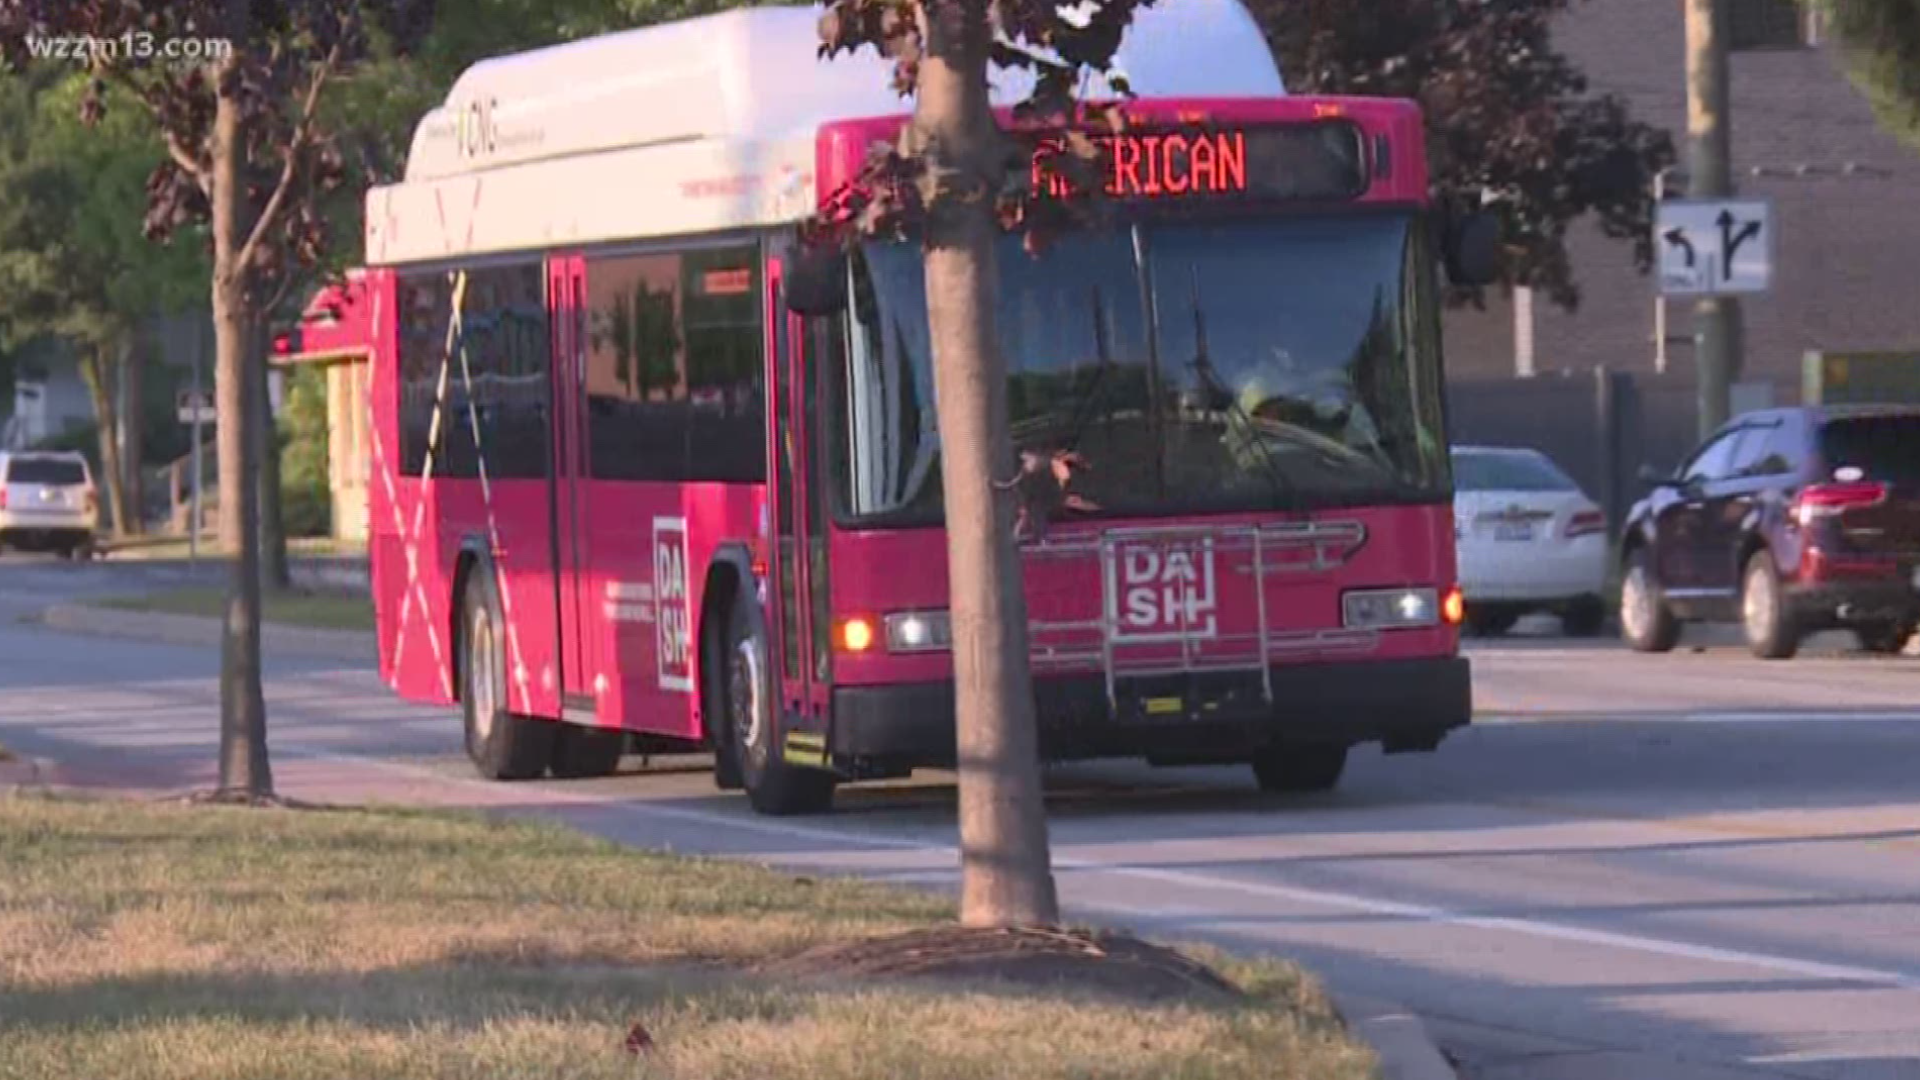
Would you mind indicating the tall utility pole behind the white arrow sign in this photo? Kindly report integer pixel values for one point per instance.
(1710, 176)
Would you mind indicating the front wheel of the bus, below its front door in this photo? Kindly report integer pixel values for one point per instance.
(754, 727)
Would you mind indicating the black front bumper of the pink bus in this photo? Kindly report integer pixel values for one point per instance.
(1188, 720)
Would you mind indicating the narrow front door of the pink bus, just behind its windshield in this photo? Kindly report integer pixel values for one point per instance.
(798, 566)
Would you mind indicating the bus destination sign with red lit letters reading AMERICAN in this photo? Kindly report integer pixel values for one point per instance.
(1320, 160)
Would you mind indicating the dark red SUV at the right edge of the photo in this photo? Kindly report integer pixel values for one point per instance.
(1787, 522)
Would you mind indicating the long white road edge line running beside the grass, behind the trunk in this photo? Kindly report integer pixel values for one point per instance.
(1188, 879)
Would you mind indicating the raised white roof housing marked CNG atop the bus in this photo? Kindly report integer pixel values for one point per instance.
(754, 74)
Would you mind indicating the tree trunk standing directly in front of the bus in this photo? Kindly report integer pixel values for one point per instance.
(1005, 868)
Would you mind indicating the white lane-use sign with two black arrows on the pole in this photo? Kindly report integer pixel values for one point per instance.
(1716, 247)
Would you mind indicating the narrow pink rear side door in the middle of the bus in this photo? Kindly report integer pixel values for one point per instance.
(569, 503)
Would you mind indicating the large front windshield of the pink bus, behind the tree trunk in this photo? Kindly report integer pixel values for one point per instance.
(1195, 366)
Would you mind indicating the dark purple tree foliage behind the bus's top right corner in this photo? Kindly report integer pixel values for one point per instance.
(1506, 116)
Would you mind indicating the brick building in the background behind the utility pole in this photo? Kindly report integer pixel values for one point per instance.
(1846, 207)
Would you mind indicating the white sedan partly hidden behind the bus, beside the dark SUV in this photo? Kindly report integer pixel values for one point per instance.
(1529, 541)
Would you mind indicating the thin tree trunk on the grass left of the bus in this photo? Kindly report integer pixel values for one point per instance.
(245, 768)
